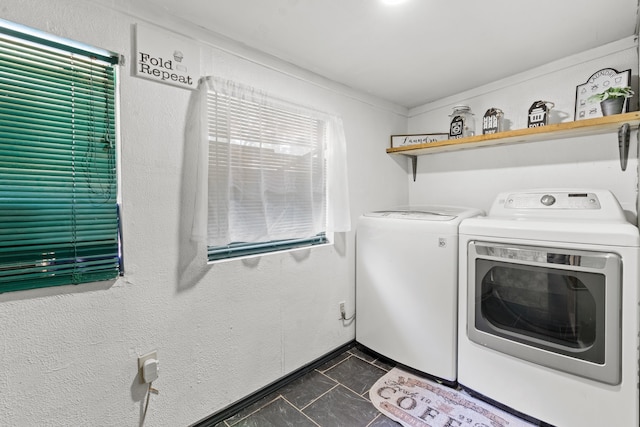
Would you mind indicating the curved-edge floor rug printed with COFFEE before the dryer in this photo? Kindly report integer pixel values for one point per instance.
(417, 402)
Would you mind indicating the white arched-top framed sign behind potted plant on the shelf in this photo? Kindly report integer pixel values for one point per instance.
(598, 82)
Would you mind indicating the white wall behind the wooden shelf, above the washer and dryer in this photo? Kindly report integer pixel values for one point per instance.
(473, 177)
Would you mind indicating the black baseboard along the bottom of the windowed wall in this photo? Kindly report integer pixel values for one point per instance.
(249, 400)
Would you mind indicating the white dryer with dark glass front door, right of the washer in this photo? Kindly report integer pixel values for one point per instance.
(548, 307)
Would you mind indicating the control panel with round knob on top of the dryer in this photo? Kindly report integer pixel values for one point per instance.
(552, 200)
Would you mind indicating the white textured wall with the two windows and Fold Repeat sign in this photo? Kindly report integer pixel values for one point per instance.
(69, 354)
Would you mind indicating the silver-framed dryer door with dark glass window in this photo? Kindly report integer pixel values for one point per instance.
(553, 307)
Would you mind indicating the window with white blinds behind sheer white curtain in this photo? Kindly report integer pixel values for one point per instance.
(268, 167)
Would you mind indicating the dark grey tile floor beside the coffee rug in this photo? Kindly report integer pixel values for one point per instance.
(335, 394)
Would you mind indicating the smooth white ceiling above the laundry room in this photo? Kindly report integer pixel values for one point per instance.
(417, 51)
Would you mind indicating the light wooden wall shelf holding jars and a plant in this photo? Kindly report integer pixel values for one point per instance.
(578, 128)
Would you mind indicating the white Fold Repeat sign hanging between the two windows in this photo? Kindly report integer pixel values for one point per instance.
(166, 58)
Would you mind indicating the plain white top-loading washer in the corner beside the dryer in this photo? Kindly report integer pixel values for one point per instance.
(406, 286)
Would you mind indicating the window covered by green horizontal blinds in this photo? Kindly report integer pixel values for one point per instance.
(58, 187)
